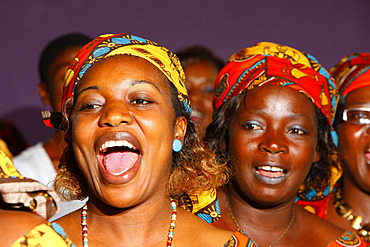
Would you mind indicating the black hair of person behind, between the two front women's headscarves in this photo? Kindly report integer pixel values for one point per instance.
(196, 53)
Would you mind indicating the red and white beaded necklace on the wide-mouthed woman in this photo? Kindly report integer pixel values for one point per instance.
(85, 240)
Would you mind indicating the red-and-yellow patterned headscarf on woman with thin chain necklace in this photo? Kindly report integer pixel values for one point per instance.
(269, 63)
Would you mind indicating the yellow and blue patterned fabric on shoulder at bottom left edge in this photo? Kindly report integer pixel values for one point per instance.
(48, 234)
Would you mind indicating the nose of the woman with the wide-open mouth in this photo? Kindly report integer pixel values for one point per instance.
(115, 114)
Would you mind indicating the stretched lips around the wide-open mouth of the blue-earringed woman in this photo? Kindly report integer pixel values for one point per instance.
(128, 175)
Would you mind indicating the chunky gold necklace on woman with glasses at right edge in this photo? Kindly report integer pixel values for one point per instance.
(346, 212)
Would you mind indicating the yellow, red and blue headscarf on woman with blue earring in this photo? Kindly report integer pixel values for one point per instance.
(108, 45)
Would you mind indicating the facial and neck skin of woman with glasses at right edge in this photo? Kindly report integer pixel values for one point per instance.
(354, 144)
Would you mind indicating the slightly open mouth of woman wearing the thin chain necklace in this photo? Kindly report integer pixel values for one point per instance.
(270, 173)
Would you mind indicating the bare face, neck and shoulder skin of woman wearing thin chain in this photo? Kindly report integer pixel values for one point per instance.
(272, 143)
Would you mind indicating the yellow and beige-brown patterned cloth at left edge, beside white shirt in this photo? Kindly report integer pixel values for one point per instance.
(20, 192)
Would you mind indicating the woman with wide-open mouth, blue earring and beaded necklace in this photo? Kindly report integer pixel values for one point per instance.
(132, 149)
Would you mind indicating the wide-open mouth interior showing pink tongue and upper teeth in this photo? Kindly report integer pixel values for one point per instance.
(117, 157)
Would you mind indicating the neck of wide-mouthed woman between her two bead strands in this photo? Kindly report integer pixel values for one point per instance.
(148, 222)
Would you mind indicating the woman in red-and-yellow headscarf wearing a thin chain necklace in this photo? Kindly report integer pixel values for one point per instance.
(274, 106)
